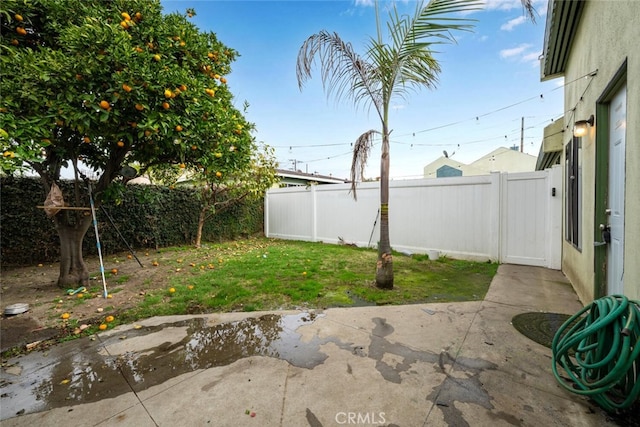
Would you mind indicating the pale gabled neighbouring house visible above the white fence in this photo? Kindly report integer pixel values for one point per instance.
(499, 160)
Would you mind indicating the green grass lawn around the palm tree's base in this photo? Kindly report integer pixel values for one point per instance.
(268, 274)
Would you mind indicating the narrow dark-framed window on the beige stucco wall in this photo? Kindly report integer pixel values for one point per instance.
(573, 168)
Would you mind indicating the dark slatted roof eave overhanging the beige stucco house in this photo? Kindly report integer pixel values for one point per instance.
(563, 17)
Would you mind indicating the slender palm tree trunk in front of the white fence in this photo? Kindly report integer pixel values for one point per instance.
(384, 266)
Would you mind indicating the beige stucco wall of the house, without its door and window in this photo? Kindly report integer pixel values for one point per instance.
(606, 37)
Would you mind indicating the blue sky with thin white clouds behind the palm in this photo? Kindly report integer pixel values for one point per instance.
(490, 79)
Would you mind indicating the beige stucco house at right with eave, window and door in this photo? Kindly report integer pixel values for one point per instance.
(594, 46)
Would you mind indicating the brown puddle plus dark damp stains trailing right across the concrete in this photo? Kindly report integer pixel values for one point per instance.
(85, 371)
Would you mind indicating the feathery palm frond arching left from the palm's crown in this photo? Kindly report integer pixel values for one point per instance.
(344, 73)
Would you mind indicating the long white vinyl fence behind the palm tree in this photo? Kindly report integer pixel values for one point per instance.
(507, 217)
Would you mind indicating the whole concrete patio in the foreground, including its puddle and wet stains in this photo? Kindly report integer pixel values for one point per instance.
(448, 364)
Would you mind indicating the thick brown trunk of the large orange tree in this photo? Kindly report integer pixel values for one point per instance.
(73, 270)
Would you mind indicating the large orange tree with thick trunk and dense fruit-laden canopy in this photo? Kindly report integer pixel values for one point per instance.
(106, 84)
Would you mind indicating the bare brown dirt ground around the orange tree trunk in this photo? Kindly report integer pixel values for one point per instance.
(36, 286)
